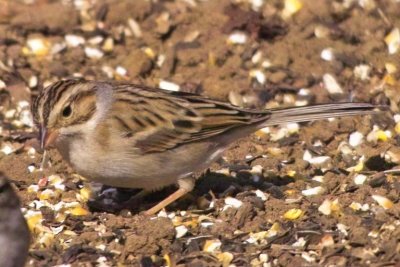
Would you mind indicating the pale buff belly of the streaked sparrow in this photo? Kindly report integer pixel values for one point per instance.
(149, 171)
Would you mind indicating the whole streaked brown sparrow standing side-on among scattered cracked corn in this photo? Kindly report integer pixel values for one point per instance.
(127, 135)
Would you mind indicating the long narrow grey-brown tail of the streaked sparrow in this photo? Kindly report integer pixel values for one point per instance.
(320, 111)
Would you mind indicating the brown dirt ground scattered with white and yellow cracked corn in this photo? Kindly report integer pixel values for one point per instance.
(321, 194)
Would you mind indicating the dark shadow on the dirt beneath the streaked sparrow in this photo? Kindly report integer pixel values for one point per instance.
(208, 185)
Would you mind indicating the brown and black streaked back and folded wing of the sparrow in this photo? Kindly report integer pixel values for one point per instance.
(162, 121)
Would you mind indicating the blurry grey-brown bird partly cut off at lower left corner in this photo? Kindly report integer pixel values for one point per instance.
(14, 232)
